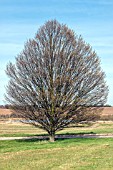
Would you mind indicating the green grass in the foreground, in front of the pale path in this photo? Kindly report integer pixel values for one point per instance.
(67, 154)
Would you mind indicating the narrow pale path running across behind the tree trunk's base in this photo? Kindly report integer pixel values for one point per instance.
(60, 137)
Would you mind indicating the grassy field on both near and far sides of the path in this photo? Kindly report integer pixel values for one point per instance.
(64, 154)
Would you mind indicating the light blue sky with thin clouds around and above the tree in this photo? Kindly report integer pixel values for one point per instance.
(20, 20)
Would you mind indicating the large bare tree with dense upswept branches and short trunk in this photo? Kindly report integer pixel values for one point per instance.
(57, 80)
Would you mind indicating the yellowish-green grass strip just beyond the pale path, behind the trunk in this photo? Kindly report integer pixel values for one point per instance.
(20, 129)
